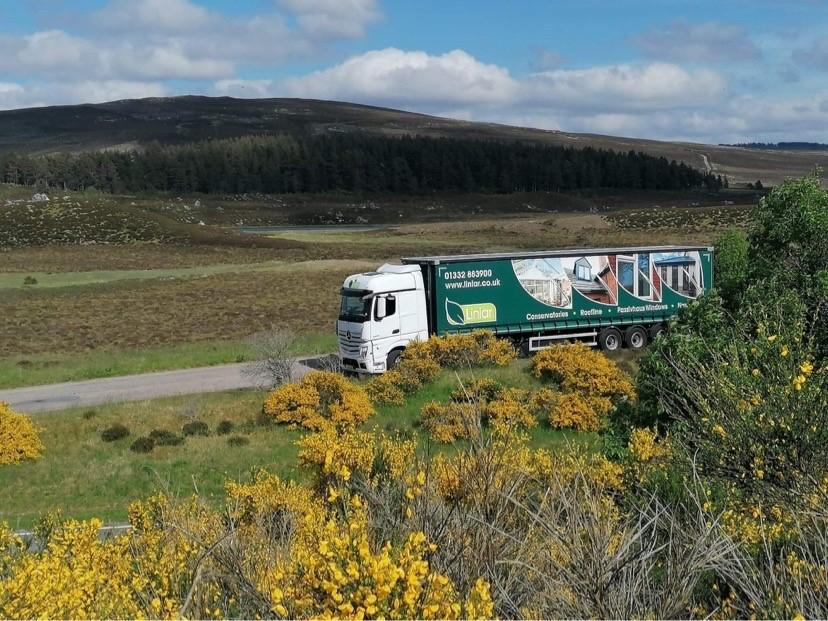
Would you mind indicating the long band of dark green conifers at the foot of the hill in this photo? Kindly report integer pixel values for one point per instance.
(353, 162)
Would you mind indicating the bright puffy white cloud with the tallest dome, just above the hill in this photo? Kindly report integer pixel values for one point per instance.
(394, 77)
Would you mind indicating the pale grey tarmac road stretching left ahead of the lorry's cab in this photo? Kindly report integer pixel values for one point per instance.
(90, 393)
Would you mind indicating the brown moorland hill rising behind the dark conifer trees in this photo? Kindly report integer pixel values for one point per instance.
(132, 124)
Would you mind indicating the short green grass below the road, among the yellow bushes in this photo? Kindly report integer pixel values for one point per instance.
(86, 476)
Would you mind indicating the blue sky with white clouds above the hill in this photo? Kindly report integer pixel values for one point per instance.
(718, 71)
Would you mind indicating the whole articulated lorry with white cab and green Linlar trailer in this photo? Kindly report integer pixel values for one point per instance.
(609, 297)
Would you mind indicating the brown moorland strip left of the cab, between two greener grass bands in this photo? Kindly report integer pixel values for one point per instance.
(153, 313)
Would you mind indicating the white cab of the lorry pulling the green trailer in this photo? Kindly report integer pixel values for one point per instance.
(380, 313)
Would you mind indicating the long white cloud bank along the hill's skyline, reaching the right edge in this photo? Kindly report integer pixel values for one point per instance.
(654, 100)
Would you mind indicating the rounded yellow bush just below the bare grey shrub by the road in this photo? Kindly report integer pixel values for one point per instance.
(320, 399)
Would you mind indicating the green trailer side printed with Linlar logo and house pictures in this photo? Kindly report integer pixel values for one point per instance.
(542, 292)
